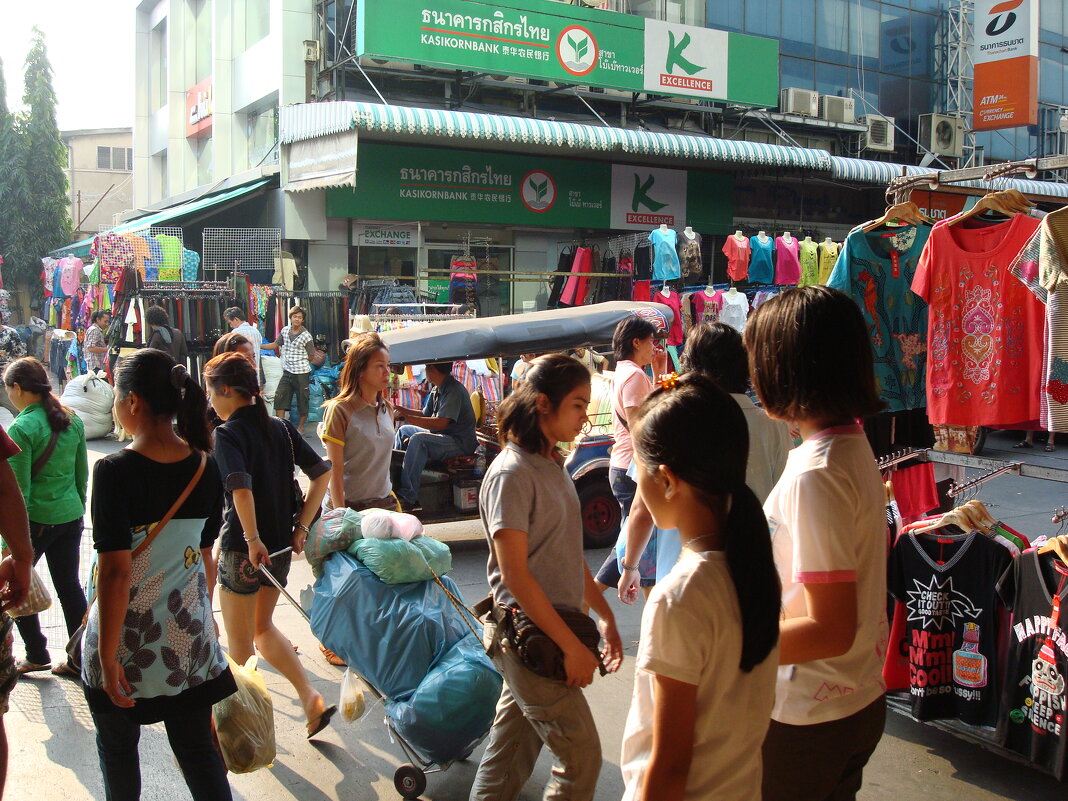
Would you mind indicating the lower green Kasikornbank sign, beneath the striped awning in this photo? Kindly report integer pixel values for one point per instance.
(396, 183)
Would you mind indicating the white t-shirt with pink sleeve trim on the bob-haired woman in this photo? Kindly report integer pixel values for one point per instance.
(828, 523)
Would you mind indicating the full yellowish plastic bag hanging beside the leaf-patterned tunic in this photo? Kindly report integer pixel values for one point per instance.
(245, 721)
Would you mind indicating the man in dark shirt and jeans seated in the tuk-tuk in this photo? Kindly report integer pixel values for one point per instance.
(444, 430)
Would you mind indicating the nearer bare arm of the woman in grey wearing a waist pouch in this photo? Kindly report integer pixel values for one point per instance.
(510, 546)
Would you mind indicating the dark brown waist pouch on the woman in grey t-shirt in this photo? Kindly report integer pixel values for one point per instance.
(539, 653)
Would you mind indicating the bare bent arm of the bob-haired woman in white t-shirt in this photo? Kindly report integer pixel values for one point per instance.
(827, 632)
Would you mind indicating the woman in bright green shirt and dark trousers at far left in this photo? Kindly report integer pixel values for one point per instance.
(53, 473)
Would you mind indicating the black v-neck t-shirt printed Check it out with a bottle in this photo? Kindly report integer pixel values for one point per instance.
(952, 623)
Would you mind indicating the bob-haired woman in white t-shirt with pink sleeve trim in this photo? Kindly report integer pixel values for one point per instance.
(811, 360)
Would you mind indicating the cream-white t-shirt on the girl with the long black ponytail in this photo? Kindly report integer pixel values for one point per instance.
(692, 633)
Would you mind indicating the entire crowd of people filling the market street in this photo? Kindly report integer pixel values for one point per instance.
(764, 568)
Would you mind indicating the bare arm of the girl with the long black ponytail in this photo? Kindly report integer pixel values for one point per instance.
(674, 715)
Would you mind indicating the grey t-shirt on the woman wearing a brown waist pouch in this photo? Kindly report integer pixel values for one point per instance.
(532, 494)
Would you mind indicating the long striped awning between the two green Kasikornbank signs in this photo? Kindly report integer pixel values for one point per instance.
(310, 121)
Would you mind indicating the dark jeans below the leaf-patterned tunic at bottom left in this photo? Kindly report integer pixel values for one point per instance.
(190, 733)
